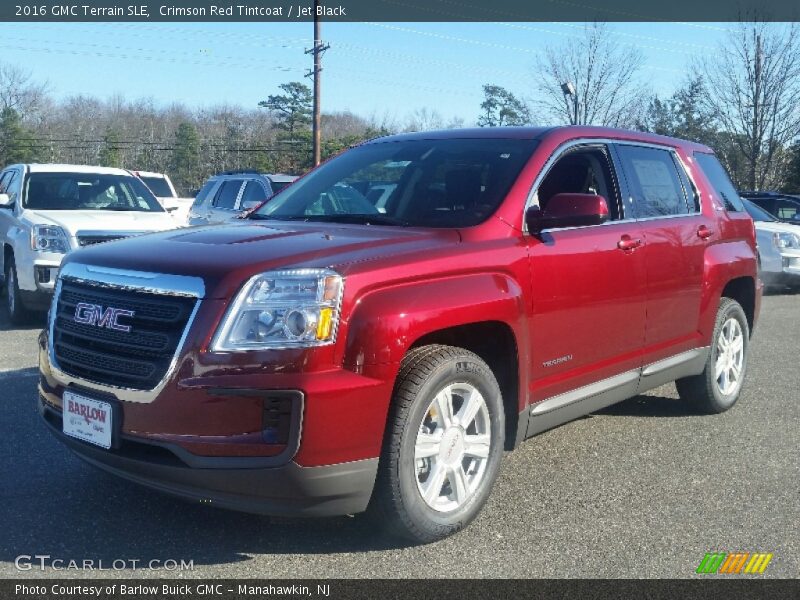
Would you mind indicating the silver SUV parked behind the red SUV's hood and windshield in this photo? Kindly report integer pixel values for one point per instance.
(226, 196)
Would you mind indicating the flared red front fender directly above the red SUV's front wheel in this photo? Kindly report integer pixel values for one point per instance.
(386, 322)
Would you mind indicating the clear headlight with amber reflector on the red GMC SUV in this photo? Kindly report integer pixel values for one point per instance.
(280, 309)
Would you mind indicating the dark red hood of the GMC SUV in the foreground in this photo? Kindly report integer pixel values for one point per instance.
(225, 255)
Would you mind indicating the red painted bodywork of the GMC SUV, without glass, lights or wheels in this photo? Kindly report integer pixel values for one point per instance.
(569, 293)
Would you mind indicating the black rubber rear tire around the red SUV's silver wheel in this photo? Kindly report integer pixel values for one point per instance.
(703, 391)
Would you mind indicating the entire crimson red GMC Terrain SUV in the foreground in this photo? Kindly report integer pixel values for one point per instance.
(324, 357)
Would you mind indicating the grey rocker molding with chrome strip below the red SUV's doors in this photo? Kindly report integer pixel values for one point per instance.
(566, 407)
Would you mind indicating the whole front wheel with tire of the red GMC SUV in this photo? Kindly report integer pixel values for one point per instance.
(444, 442)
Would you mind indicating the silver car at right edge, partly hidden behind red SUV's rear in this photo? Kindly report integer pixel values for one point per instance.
(778, 249)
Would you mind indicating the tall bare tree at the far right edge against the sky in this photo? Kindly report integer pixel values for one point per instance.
(752, 86)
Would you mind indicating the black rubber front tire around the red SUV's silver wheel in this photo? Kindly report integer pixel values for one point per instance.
(397, 503)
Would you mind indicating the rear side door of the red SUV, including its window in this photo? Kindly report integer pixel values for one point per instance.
(676, 233)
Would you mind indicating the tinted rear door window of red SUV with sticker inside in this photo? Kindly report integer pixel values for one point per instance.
(654, 181)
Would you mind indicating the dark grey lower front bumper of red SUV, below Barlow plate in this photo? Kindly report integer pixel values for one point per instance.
(285, 490)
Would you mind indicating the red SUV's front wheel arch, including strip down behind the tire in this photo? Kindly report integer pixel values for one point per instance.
(482, 312)
